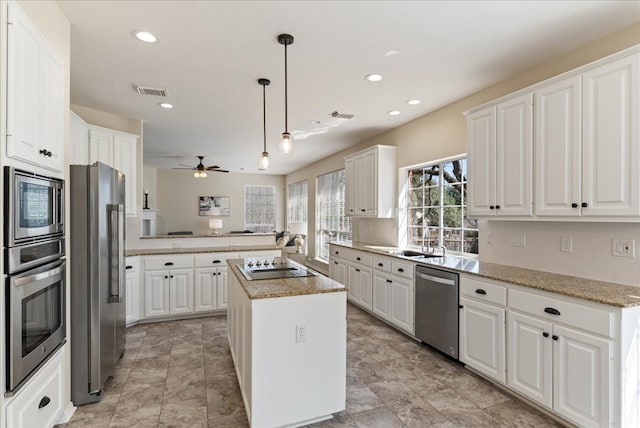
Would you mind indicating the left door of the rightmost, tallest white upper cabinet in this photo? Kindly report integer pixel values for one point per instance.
(558, 153)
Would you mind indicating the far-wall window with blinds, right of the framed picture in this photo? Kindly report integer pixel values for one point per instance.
(260, 208)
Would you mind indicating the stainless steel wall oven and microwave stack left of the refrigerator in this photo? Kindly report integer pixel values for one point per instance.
(35, 281)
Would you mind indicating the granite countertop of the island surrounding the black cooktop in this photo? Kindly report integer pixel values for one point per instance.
(286, 287)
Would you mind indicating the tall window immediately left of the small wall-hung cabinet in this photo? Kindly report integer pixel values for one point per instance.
(332, 223)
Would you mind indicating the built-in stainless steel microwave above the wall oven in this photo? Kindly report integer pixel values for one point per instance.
(36, 207)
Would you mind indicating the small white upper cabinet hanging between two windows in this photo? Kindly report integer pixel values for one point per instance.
(371, 182)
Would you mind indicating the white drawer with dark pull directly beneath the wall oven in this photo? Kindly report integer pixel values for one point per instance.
(39, 403)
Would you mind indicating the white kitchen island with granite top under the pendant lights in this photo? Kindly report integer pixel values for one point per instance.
(288, 342)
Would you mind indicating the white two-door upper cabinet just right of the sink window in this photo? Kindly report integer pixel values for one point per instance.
(500, 158)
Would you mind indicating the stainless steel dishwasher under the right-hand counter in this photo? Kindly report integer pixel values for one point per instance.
(436, 309)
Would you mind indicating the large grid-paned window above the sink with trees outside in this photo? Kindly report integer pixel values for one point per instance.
(437, 207)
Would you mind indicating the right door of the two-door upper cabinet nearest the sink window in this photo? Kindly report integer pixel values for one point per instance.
(514, 156)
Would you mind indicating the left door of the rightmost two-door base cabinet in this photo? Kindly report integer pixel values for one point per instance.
(529, 369)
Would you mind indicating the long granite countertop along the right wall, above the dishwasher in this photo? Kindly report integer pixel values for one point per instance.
(608, 293)
